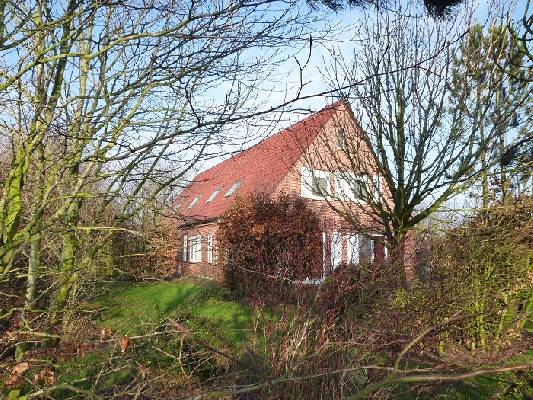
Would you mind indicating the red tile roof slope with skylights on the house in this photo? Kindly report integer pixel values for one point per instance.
(258, 169)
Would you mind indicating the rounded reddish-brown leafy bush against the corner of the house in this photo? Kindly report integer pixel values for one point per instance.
(270, 246)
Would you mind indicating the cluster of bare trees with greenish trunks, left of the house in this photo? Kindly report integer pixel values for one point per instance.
(107, 95)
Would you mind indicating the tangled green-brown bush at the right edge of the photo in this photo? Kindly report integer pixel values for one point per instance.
(483, 270)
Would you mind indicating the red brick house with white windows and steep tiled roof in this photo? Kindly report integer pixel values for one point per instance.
(291, 162)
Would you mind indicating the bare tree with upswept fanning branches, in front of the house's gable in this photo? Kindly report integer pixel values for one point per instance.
(408, 153)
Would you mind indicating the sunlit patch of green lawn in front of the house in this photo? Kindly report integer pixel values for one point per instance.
(204, 308)
